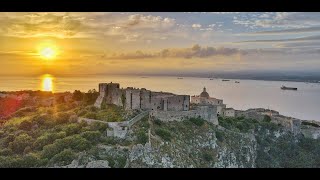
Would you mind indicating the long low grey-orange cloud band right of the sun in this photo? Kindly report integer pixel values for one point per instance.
(195, 51)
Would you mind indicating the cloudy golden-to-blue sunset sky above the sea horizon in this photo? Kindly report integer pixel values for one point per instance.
(159, 43)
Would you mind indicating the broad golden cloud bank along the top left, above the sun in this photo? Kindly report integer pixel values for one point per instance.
(66, 25)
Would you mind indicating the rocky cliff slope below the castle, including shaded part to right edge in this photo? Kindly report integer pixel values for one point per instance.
(194, 143)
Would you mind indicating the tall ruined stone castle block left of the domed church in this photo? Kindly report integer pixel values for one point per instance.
(141, 99)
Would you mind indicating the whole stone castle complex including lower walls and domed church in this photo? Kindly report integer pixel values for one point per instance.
(163, 105)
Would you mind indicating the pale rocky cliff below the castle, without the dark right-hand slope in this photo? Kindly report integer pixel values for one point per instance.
(186, 145)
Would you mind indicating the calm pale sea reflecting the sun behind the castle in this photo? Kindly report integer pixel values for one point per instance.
(302, 104)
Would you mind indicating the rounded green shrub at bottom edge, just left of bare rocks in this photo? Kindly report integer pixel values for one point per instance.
(65, 157)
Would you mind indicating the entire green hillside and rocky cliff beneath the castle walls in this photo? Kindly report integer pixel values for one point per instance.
(43, 137)
